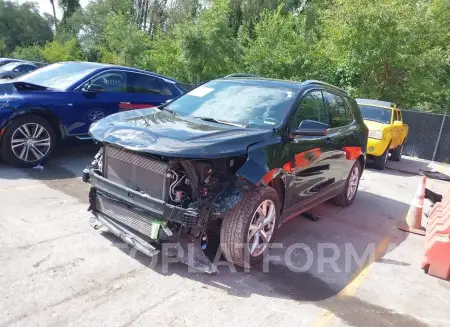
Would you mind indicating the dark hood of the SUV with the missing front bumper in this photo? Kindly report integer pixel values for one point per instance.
(159, 132)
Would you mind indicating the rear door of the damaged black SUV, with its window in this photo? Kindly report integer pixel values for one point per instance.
(344, 132)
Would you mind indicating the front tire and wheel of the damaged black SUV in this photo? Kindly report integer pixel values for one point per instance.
(235, 235)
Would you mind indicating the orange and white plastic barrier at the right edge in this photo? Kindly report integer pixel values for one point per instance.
(437, 240)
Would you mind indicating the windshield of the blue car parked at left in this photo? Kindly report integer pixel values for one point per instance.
(58, 76)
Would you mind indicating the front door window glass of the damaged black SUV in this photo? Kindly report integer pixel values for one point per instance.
(312, 107)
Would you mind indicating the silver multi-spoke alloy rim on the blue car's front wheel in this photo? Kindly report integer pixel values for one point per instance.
(30, 142)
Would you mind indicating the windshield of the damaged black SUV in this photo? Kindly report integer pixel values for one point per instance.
(239, 102)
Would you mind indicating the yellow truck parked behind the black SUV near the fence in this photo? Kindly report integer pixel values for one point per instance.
(387, 132)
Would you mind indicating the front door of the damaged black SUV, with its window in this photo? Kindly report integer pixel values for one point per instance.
(311, 159)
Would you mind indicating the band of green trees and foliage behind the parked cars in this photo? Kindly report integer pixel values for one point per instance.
(394, 50)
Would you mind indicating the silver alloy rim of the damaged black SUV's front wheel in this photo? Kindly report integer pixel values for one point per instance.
(261, 228)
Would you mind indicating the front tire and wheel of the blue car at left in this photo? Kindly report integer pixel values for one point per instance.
(40, 141)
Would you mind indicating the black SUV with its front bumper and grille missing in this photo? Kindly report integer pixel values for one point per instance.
(243, 154)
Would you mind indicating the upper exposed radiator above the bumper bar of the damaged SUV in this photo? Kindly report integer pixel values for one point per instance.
(136, 171)
